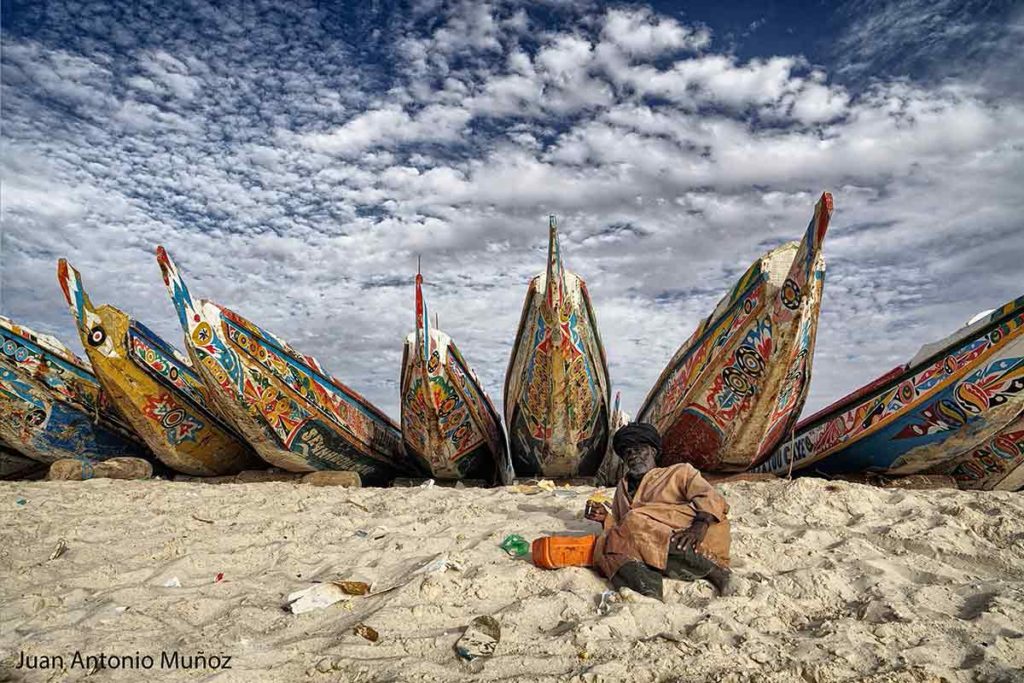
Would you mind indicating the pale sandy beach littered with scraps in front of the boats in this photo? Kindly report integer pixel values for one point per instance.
(835, 582)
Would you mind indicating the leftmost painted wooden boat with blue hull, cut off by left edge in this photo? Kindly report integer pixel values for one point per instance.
(52, 406)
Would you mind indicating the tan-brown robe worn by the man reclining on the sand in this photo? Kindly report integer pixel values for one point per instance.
(667, 500)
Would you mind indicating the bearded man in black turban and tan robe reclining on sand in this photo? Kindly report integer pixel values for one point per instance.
(664, 522)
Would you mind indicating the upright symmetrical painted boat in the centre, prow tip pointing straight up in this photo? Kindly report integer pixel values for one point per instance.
(557, 387)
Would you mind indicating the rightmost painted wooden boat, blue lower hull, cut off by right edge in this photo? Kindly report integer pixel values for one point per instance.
(955, 408)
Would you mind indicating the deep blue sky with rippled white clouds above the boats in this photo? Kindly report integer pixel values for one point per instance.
(296, 159)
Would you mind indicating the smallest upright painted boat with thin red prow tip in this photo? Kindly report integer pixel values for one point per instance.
(449, 424)
